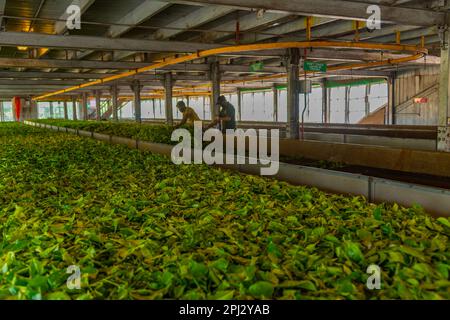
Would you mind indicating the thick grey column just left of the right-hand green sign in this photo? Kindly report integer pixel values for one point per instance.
(293, 98)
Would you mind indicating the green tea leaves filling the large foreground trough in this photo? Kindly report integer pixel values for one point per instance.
(140, 227)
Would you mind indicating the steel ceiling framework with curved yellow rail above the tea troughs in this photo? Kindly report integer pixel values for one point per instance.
(39, 54)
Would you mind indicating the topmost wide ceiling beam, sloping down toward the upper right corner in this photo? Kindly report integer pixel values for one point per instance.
(349, 10)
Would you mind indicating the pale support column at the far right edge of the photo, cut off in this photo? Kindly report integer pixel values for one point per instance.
(444, 94)
